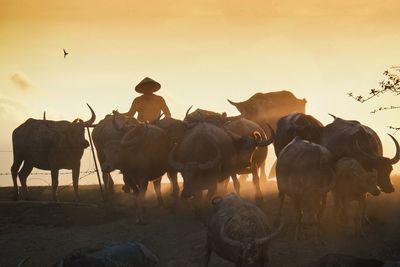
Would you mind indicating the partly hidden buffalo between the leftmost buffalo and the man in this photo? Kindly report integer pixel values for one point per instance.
(106, 131)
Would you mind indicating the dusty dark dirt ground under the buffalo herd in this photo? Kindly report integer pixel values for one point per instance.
(45, 232)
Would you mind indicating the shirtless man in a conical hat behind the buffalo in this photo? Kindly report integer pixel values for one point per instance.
(148, 105)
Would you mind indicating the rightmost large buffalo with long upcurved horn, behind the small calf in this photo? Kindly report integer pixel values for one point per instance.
(349, 138)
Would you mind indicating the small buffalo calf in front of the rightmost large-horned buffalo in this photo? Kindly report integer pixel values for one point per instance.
(353, 182)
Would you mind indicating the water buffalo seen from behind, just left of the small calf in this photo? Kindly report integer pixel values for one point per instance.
(304, 172)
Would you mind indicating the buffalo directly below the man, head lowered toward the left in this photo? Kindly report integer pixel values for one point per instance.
(142, 155)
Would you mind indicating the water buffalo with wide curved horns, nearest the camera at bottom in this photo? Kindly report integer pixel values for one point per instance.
(238, 231)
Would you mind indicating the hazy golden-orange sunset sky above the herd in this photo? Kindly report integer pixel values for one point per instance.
(202, 52)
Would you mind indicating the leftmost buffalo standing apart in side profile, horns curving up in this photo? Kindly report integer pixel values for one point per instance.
(48, 145)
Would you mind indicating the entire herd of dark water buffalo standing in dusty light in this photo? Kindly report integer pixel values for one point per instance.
(207, 148)
